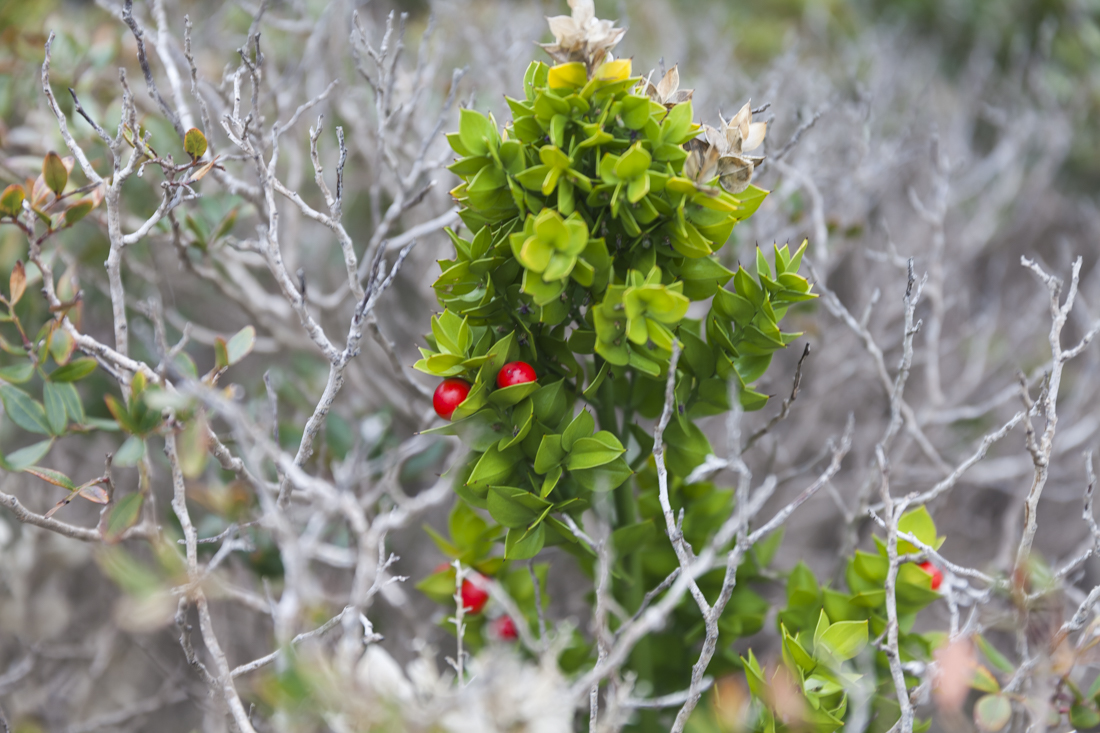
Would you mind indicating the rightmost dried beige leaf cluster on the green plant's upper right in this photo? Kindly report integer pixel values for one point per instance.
(723, 152)
